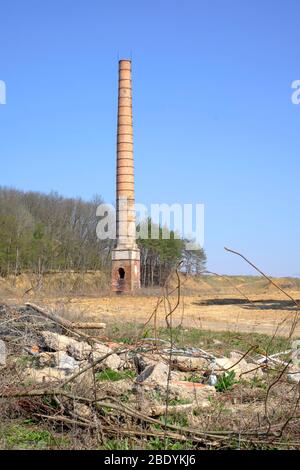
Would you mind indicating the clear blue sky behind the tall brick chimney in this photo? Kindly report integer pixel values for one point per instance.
(214, 122)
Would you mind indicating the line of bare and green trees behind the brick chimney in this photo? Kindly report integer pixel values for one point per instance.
(48, 232)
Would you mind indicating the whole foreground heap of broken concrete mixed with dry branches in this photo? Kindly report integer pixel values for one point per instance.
(143, 379)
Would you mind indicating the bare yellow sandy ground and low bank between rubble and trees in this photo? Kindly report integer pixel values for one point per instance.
(210, 303)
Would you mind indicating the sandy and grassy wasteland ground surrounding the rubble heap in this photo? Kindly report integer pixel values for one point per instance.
(218, 315)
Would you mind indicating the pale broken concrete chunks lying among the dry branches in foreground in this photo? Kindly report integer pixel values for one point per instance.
(143, 376)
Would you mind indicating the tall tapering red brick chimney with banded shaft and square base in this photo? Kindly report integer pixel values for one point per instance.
(126, 254)
